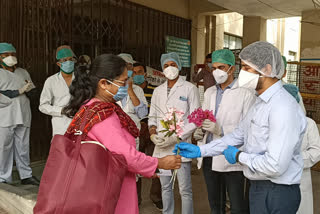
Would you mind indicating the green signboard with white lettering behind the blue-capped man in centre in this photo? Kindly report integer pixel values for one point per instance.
(181, 47)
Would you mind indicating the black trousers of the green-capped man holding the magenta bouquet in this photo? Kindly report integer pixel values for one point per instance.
(220, 182)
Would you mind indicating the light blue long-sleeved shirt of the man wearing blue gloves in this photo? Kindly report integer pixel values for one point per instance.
(271, 135)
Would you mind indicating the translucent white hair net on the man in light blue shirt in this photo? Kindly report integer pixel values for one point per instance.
(260, 54)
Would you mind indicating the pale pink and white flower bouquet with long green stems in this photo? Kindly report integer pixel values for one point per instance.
(173, 124)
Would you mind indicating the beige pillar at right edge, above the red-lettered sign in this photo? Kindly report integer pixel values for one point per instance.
(310, 39)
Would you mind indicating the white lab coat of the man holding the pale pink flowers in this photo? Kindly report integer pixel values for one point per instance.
(184, 96)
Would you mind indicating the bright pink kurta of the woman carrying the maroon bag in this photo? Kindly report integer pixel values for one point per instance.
(118, 140)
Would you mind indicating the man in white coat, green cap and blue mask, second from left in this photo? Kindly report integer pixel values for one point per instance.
(55, 93)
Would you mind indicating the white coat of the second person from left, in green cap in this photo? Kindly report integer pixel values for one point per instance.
(54, 96)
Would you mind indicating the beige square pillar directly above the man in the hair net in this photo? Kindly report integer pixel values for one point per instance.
(254, 29)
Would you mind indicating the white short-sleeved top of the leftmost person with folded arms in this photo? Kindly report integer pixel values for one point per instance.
(18, 112)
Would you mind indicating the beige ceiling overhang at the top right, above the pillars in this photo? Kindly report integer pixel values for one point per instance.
(269, 9)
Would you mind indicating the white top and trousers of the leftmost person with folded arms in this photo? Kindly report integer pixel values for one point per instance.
(15, 125)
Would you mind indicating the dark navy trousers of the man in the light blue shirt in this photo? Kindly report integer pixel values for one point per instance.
(270, 198)
